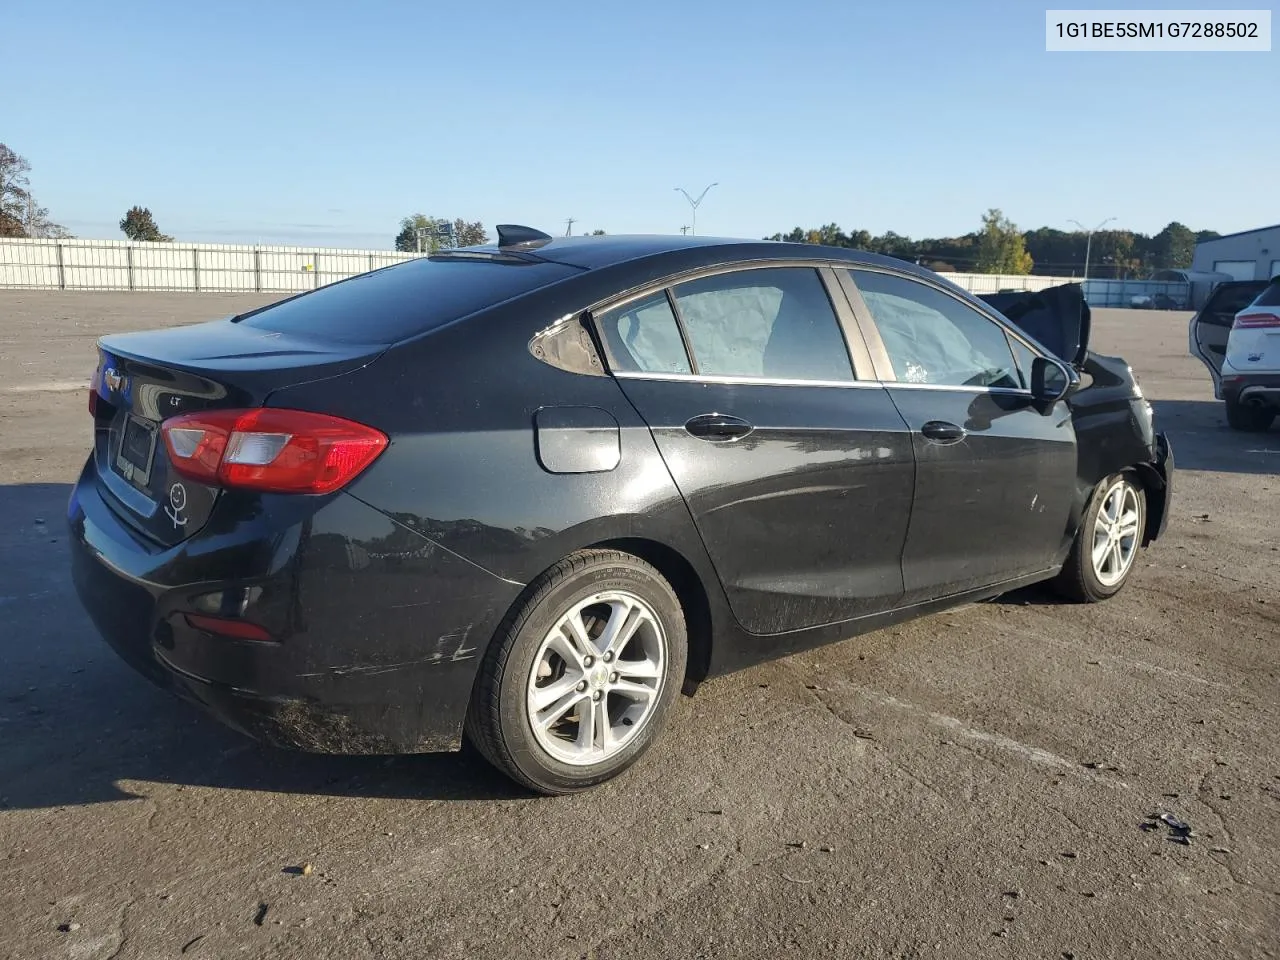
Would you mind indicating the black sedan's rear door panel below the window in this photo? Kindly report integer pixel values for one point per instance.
(806, 516)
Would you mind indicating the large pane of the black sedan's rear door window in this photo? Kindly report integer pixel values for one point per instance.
(775, 323)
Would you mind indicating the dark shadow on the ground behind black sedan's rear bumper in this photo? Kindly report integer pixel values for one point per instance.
(80, 728)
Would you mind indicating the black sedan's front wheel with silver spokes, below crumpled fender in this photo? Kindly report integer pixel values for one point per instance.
(1107, 545)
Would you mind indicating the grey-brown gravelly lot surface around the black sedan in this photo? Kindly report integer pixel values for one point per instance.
(975, 784)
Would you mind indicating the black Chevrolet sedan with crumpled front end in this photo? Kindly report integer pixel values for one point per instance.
(525, 493)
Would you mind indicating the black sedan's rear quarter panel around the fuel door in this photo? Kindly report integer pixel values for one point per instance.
(465, 461)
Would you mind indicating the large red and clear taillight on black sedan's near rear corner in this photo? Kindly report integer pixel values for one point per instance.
(278, 451)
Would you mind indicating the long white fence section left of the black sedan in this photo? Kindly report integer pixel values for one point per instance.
(125, 266)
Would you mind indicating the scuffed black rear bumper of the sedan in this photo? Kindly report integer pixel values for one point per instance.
(377, 630)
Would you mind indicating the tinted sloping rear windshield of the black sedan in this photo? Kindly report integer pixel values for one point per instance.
(405, 300)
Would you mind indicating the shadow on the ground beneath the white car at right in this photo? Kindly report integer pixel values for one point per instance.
(1203, 441)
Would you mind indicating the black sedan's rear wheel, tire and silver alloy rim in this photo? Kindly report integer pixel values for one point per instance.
(559, 707)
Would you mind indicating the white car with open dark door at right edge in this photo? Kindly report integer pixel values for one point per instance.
(1237, 336)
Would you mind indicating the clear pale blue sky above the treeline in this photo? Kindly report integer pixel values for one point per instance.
(327, 122)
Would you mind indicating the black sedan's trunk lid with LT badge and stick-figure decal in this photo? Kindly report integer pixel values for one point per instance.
(143, 380)
